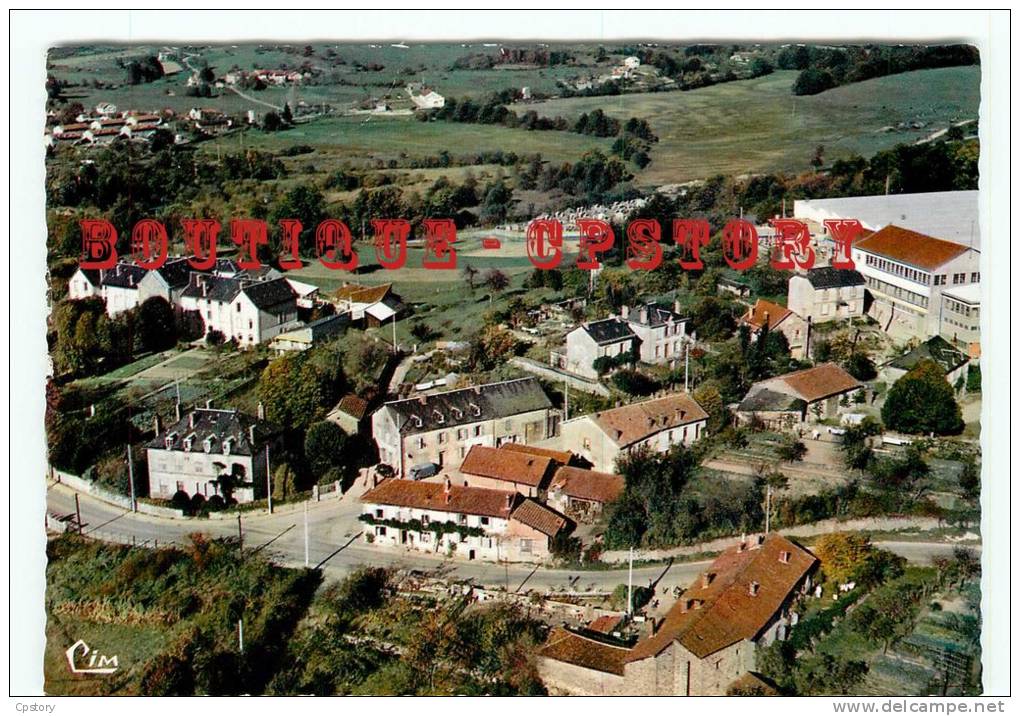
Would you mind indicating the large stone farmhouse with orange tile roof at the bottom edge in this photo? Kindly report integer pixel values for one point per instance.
(748, 597)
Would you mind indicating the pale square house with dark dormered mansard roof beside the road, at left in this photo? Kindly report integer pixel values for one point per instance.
(195, 453)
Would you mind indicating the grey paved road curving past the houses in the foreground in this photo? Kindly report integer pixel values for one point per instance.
(334, 545)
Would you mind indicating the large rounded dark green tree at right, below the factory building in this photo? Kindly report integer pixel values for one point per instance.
(923, 402)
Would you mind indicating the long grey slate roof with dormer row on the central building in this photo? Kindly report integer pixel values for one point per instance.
(465, 406)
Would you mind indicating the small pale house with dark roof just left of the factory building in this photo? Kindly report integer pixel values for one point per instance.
(826, 294)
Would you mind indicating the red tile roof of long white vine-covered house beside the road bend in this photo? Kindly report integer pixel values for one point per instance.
(442, 498)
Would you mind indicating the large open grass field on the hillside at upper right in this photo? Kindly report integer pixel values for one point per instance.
(758, 125)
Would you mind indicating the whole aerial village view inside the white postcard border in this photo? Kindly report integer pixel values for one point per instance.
(496, 479)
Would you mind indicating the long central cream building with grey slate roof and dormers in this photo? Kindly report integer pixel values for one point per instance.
(441, 429)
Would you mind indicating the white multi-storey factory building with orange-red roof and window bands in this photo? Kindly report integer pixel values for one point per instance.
(907, 274)
